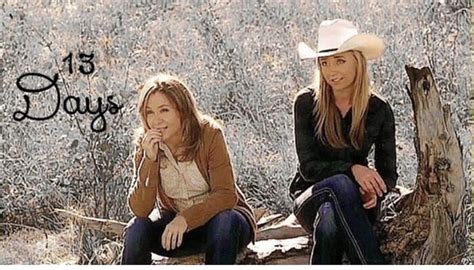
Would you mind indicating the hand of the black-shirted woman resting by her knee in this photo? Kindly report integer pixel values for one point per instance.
(369, 180)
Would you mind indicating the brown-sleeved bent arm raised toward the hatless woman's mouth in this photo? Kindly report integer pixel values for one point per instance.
(142, 195)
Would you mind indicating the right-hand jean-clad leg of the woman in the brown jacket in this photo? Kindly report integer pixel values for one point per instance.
(227, 233)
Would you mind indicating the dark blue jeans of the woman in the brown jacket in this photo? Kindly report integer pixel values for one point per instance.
(221, 238)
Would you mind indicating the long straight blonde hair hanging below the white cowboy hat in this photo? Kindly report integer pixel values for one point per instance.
(327, 116)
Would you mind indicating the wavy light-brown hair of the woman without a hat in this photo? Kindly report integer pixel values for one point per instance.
(180, 95)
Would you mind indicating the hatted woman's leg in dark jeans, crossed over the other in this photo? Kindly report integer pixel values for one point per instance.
(344, 195)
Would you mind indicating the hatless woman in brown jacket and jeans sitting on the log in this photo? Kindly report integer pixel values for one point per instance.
(182, 162)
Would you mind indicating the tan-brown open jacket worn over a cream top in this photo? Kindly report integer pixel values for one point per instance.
(214, 163)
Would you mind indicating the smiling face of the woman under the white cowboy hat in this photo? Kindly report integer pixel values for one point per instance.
(339, 70)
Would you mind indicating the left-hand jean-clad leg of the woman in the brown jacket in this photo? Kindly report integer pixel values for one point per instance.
(141, 236)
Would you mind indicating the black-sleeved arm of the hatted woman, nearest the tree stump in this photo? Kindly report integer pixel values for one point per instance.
(385, 150)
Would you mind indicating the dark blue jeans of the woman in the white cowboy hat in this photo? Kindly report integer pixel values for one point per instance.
(332, 210)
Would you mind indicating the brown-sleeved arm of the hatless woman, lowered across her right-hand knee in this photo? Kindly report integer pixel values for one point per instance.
(222, 195)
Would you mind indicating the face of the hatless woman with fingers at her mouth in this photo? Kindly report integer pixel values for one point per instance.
(163, 115)
